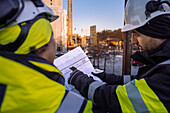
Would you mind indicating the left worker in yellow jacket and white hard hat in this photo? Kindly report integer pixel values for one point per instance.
(29, 82)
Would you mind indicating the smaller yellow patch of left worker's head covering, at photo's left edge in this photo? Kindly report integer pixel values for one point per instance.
(9, 34)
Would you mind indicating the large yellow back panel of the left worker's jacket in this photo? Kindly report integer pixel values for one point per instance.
(28, 91)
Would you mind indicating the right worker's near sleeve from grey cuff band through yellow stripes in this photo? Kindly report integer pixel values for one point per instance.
(135, 96)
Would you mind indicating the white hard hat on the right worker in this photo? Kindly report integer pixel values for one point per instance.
(139, 12)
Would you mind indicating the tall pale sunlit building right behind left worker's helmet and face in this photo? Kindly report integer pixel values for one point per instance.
(60, 25)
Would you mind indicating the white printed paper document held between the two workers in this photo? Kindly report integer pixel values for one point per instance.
(76, 58)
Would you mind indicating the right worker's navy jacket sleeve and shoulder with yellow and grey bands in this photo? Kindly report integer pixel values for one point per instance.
(148, 93)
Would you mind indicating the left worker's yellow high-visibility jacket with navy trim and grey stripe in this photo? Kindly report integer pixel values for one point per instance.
(30, 84)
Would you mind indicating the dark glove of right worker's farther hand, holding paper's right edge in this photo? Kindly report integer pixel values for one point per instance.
(110, 79)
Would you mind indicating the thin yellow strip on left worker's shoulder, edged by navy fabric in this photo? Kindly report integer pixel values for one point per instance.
(46, 67)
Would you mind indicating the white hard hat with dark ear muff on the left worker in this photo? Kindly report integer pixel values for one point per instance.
(17, 11)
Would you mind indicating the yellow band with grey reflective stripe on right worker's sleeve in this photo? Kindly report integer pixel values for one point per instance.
(137, 96)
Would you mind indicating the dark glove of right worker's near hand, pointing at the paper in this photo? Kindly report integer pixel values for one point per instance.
(80, 80)
